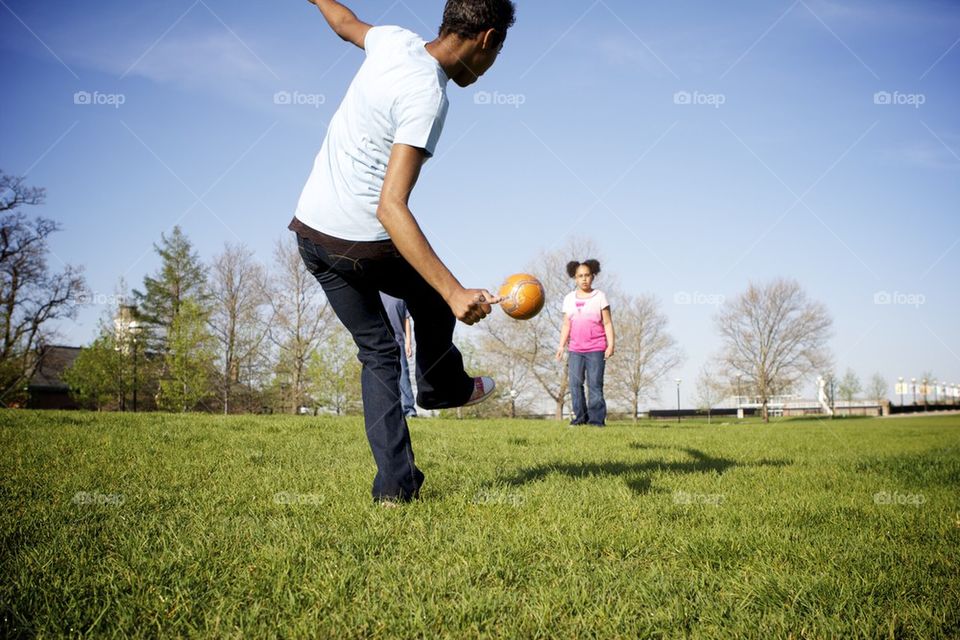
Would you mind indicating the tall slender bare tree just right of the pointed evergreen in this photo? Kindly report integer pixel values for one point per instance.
(239, 319)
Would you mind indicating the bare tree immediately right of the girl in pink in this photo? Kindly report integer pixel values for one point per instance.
(646, 352)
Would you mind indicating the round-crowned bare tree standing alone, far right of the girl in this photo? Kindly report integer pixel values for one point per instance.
(773, 337)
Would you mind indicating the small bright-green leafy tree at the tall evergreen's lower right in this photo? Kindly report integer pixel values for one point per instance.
(189, 360)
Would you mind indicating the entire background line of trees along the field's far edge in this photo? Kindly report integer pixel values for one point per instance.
(238, 335)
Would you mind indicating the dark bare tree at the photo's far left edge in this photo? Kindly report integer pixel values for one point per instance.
(31, 297)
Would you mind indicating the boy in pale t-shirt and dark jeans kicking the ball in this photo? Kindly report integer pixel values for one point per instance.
(356, 233)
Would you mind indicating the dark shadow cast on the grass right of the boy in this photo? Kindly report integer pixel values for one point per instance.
(637, 474)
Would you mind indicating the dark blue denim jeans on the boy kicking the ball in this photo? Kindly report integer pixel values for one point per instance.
(353, 286)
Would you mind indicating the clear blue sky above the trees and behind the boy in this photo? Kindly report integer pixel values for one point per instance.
(701, 145)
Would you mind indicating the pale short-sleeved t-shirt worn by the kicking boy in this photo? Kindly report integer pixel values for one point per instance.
(399, 95)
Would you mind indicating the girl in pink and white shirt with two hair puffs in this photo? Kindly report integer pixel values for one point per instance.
(588, 330)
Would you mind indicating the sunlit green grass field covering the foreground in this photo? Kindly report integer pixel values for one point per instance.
(143, 525)
